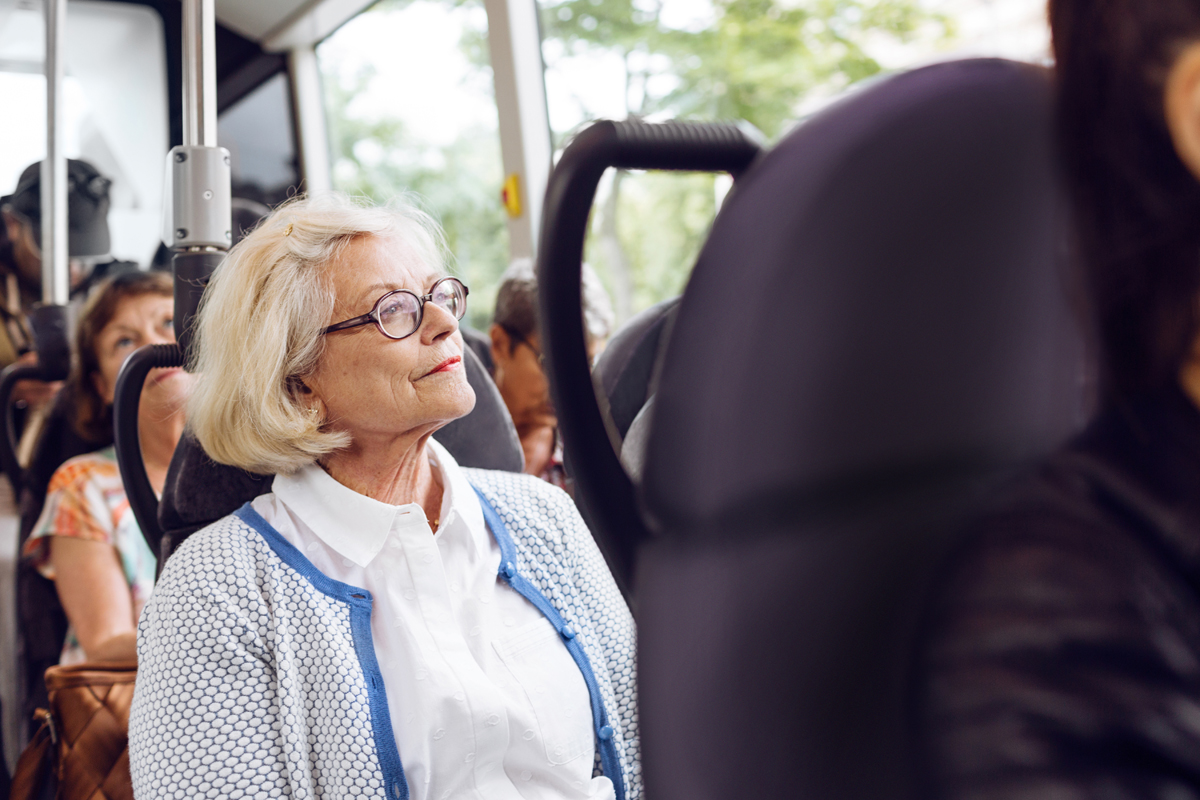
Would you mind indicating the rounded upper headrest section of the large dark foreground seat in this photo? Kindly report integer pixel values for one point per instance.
(884, 290)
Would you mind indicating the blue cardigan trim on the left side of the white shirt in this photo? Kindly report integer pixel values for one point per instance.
(361, 603)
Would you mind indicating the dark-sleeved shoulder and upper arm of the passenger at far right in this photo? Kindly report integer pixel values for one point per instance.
(1071, 610)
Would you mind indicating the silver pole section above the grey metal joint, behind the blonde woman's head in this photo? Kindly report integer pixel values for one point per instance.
(200, 74)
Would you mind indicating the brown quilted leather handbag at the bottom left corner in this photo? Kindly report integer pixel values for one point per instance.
(82, 751)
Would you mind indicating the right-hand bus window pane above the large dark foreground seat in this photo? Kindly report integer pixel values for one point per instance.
(767, 62)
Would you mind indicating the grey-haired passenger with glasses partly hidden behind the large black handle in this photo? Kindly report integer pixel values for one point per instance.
(518, 363)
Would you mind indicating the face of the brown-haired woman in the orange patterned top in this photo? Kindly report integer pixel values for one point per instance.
(141, 320)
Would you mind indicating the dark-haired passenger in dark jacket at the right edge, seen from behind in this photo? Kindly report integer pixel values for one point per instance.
(1065, 653)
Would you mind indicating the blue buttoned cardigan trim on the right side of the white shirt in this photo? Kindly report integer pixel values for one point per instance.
(608, 748)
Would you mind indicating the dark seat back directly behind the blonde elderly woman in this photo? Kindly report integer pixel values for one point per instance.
(200, 492)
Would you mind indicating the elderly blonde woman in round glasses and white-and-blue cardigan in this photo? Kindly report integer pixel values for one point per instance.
(383, 623)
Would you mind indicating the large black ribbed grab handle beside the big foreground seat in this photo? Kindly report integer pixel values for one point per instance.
(601, 482)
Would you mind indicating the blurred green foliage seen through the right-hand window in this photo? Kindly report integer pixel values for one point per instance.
(758, 62)
